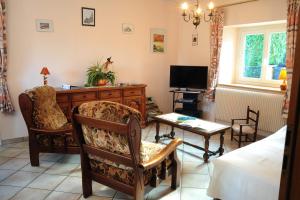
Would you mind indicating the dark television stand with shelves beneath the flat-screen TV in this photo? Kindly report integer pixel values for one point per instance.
(189, 101)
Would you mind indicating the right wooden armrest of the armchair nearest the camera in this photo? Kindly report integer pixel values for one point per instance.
(162, 155)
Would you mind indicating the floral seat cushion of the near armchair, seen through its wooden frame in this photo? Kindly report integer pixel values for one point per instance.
(124, 173)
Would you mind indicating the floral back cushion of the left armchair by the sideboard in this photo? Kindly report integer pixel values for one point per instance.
(46, 112)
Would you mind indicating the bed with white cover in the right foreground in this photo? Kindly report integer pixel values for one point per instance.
(250, 173)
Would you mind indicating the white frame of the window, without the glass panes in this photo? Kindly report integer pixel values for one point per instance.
(267, 30)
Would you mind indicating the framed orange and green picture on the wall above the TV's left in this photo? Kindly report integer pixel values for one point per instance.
(158, 40)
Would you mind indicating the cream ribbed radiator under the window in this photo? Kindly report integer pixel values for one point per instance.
(232, 103)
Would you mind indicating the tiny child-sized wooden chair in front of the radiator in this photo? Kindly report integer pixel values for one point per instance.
(246, 131)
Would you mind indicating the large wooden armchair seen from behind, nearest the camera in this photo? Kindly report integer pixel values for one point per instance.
(112, 153)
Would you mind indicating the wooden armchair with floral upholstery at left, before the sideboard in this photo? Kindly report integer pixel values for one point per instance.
(48, 128)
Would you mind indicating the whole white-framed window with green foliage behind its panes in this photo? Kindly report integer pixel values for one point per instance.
(261, 55)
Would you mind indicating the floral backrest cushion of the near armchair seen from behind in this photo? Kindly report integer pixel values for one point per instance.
(109, 111)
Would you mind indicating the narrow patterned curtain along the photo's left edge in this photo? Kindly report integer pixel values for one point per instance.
(5, 102)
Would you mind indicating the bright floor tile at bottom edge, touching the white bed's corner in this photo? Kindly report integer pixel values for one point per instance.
(194, 194)
